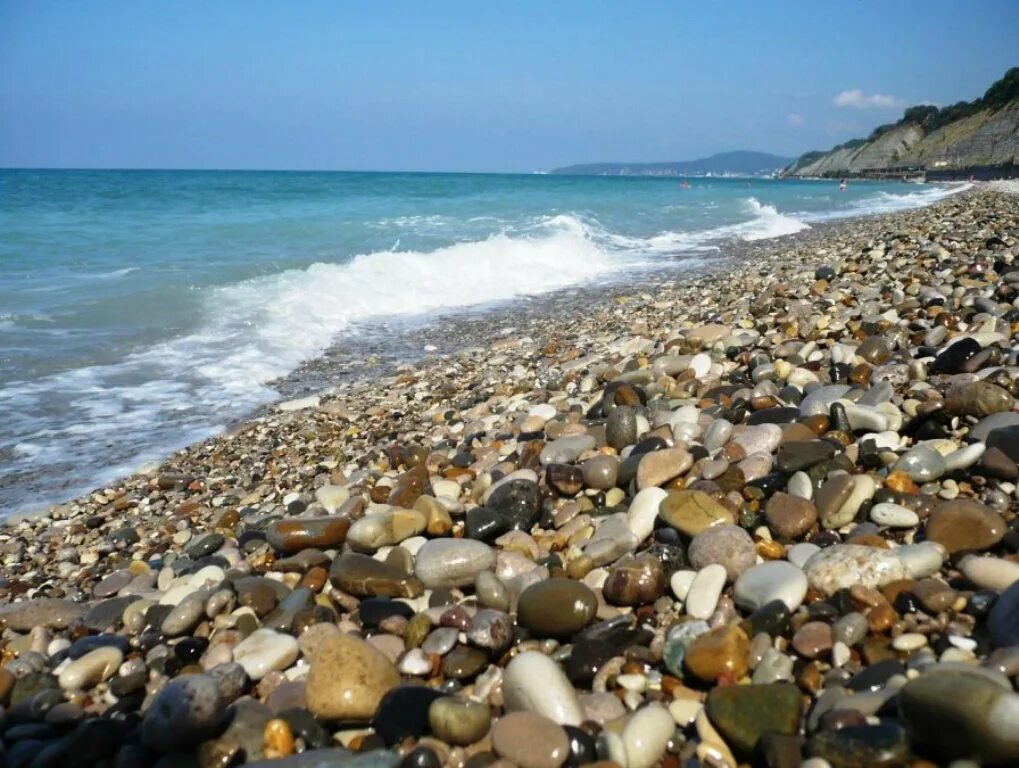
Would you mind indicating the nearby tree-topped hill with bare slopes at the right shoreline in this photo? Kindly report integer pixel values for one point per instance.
(978, 136)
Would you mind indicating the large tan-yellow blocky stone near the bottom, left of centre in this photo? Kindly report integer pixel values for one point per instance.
(348, 680)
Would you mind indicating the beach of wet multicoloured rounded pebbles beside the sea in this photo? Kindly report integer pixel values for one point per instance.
(765, 514)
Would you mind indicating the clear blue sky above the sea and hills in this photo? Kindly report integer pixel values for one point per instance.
(472, 86)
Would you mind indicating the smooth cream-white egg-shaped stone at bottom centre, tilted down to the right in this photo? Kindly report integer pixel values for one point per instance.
(534, 683)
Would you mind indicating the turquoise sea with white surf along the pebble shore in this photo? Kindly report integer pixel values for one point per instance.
(143, 311)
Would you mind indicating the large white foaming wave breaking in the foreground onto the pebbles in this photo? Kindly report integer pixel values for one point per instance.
(162, 399)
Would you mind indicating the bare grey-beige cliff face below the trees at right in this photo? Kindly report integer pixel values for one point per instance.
(988, 138)
